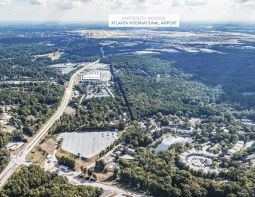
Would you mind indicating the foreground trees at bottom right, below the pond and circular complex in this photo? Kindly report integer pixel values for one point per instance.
(157, 174)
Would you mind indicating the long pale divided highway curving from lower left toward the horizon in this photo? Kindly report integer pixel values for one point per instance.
(21, 157)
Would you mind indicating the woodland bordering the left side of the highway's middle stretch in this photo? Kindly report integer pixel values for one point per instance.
(32, 104)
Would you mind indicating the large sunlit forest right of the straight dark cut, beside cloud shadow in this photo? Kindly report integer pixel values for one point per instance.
(151, 85)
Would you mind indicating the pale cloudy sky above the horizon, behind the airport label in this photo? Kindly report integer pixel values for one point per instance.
(83, 11)
